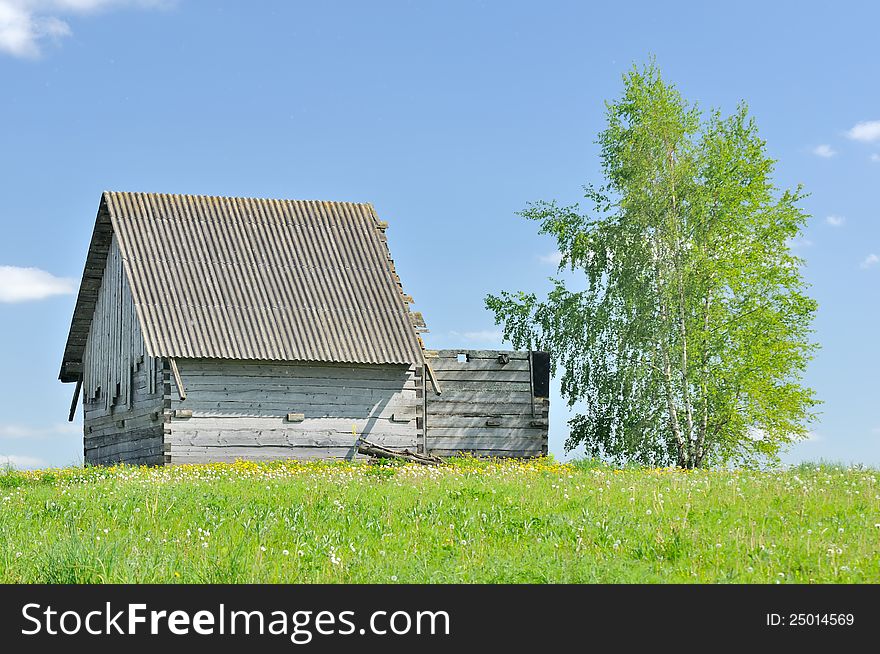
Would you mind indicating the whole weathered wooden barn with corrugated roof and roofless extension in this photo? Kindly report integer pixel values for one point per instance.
(213, 329)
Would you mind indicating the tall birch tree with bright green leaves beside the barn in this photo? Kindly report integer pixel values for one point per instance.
(691, 336)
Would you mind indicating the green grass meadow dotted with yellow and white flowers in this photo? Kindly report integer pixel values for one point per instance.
(471, 521)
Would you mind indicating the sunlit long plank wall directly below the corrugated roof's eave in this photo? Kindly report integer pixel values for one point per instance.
(239, 410)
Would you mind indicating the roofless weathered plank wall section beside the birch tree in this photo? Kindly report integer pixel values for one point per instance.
(485, 407)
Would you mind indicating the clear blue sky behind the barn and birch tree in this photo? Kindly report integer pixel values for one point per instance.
(448, 117)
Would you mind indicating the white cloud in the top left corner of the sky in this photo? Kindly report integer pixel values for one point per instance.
(26, 24)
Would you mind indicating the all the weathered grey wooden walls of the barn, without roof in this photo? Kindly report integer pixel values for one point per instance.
(277, 410)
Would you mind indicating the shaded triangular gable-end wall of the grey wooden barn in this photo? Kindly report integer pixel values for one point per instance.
(122, 386)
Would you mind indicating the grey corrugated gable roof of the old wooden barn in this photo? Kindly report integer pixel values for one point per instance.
(256, 279)
